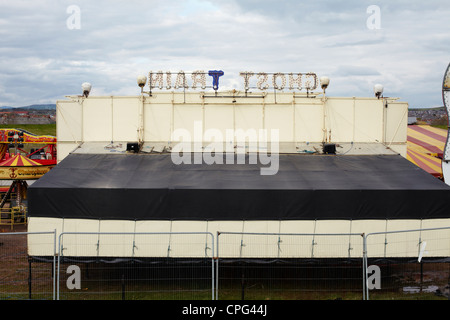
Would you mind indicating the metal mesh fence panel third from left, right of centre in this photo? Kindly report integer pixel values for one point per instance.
(289, 266)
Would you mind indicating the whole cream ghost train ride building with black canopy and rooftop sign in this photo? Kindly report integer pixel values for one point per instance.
(341, 170)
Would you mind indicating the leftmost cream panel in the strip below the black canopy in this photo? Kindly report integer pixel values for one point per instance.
(43, 244)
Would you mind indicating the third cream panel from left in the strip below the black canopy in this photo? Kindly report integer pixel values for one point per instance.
(120, 245)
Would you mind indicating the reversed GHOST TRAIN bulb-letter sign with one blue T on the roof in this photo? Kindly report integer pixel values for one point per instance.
(203, 80)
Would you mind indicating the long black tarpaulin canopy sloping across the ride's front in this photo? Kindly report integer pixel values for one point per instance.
(152, 187)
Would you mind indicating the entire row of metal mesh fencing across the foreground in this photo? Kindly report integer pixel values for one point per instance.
(408, 264)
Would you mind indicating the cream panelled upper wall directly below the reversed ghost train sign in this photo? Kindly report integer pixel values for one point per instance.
(117, 118)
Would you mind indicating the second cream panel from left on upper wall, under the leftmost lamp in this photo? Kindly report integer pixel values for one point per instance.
(97, 119)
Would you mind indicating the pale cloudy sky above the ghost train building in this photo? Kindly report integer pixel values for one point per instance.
(48, 48)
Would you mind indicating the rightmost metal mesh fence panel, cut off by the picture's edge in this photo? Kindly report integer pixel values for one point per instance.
(409, 264)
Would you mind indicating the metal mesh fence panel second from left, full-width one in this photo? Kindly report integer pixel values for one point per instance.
(137, 266)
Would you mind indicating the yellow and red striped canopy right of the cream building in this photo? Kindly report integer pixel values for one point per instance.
(425, 147)
